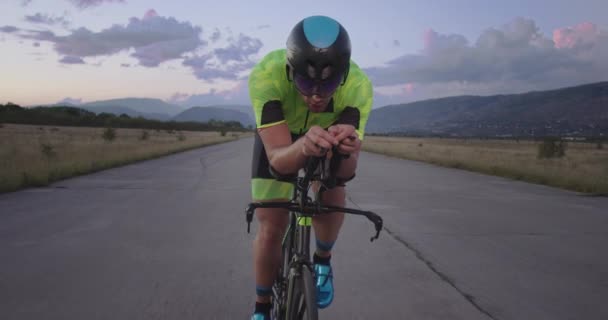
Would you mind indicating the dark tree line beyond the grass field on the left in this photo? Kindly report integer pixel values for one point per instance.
(72, 116)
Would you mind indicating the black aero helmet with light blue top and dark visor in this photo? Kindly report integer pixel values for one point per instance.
(318, 55)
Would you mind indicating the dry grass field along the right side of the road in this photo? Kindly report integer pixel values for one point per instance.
(584, 167)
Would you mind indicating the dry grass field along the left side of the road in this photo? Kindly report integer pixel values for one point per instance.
(37, 155)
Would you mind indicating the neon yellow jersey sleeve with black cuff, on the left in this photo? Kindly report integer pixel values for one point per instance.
(265, 93)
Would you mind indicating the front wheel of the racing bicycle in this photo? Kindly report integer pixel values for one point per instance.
(301, 298)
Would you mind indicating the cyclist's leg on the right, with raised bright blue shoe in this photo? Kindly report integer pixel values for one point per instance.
(327, 227)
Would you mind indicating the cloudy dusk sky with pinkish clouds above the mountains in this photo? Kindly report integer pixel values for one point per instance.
(198, 53)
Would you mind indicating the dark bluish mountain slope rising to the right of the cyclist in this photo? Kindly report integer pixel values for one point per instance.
(574, 111)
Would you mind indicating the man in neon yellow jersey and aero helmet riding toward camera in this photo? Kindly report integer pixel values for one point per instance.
(306, 98)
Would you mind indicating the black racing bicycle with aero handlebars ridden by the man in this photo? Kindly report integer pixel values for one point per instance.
(294, 290)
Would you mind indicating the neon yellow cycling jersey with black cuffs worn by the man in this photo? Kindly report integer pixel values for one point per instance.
(275, 99)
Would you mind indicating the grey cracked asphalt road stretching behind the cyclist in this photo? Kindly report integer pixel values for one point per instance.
(166, 239)
